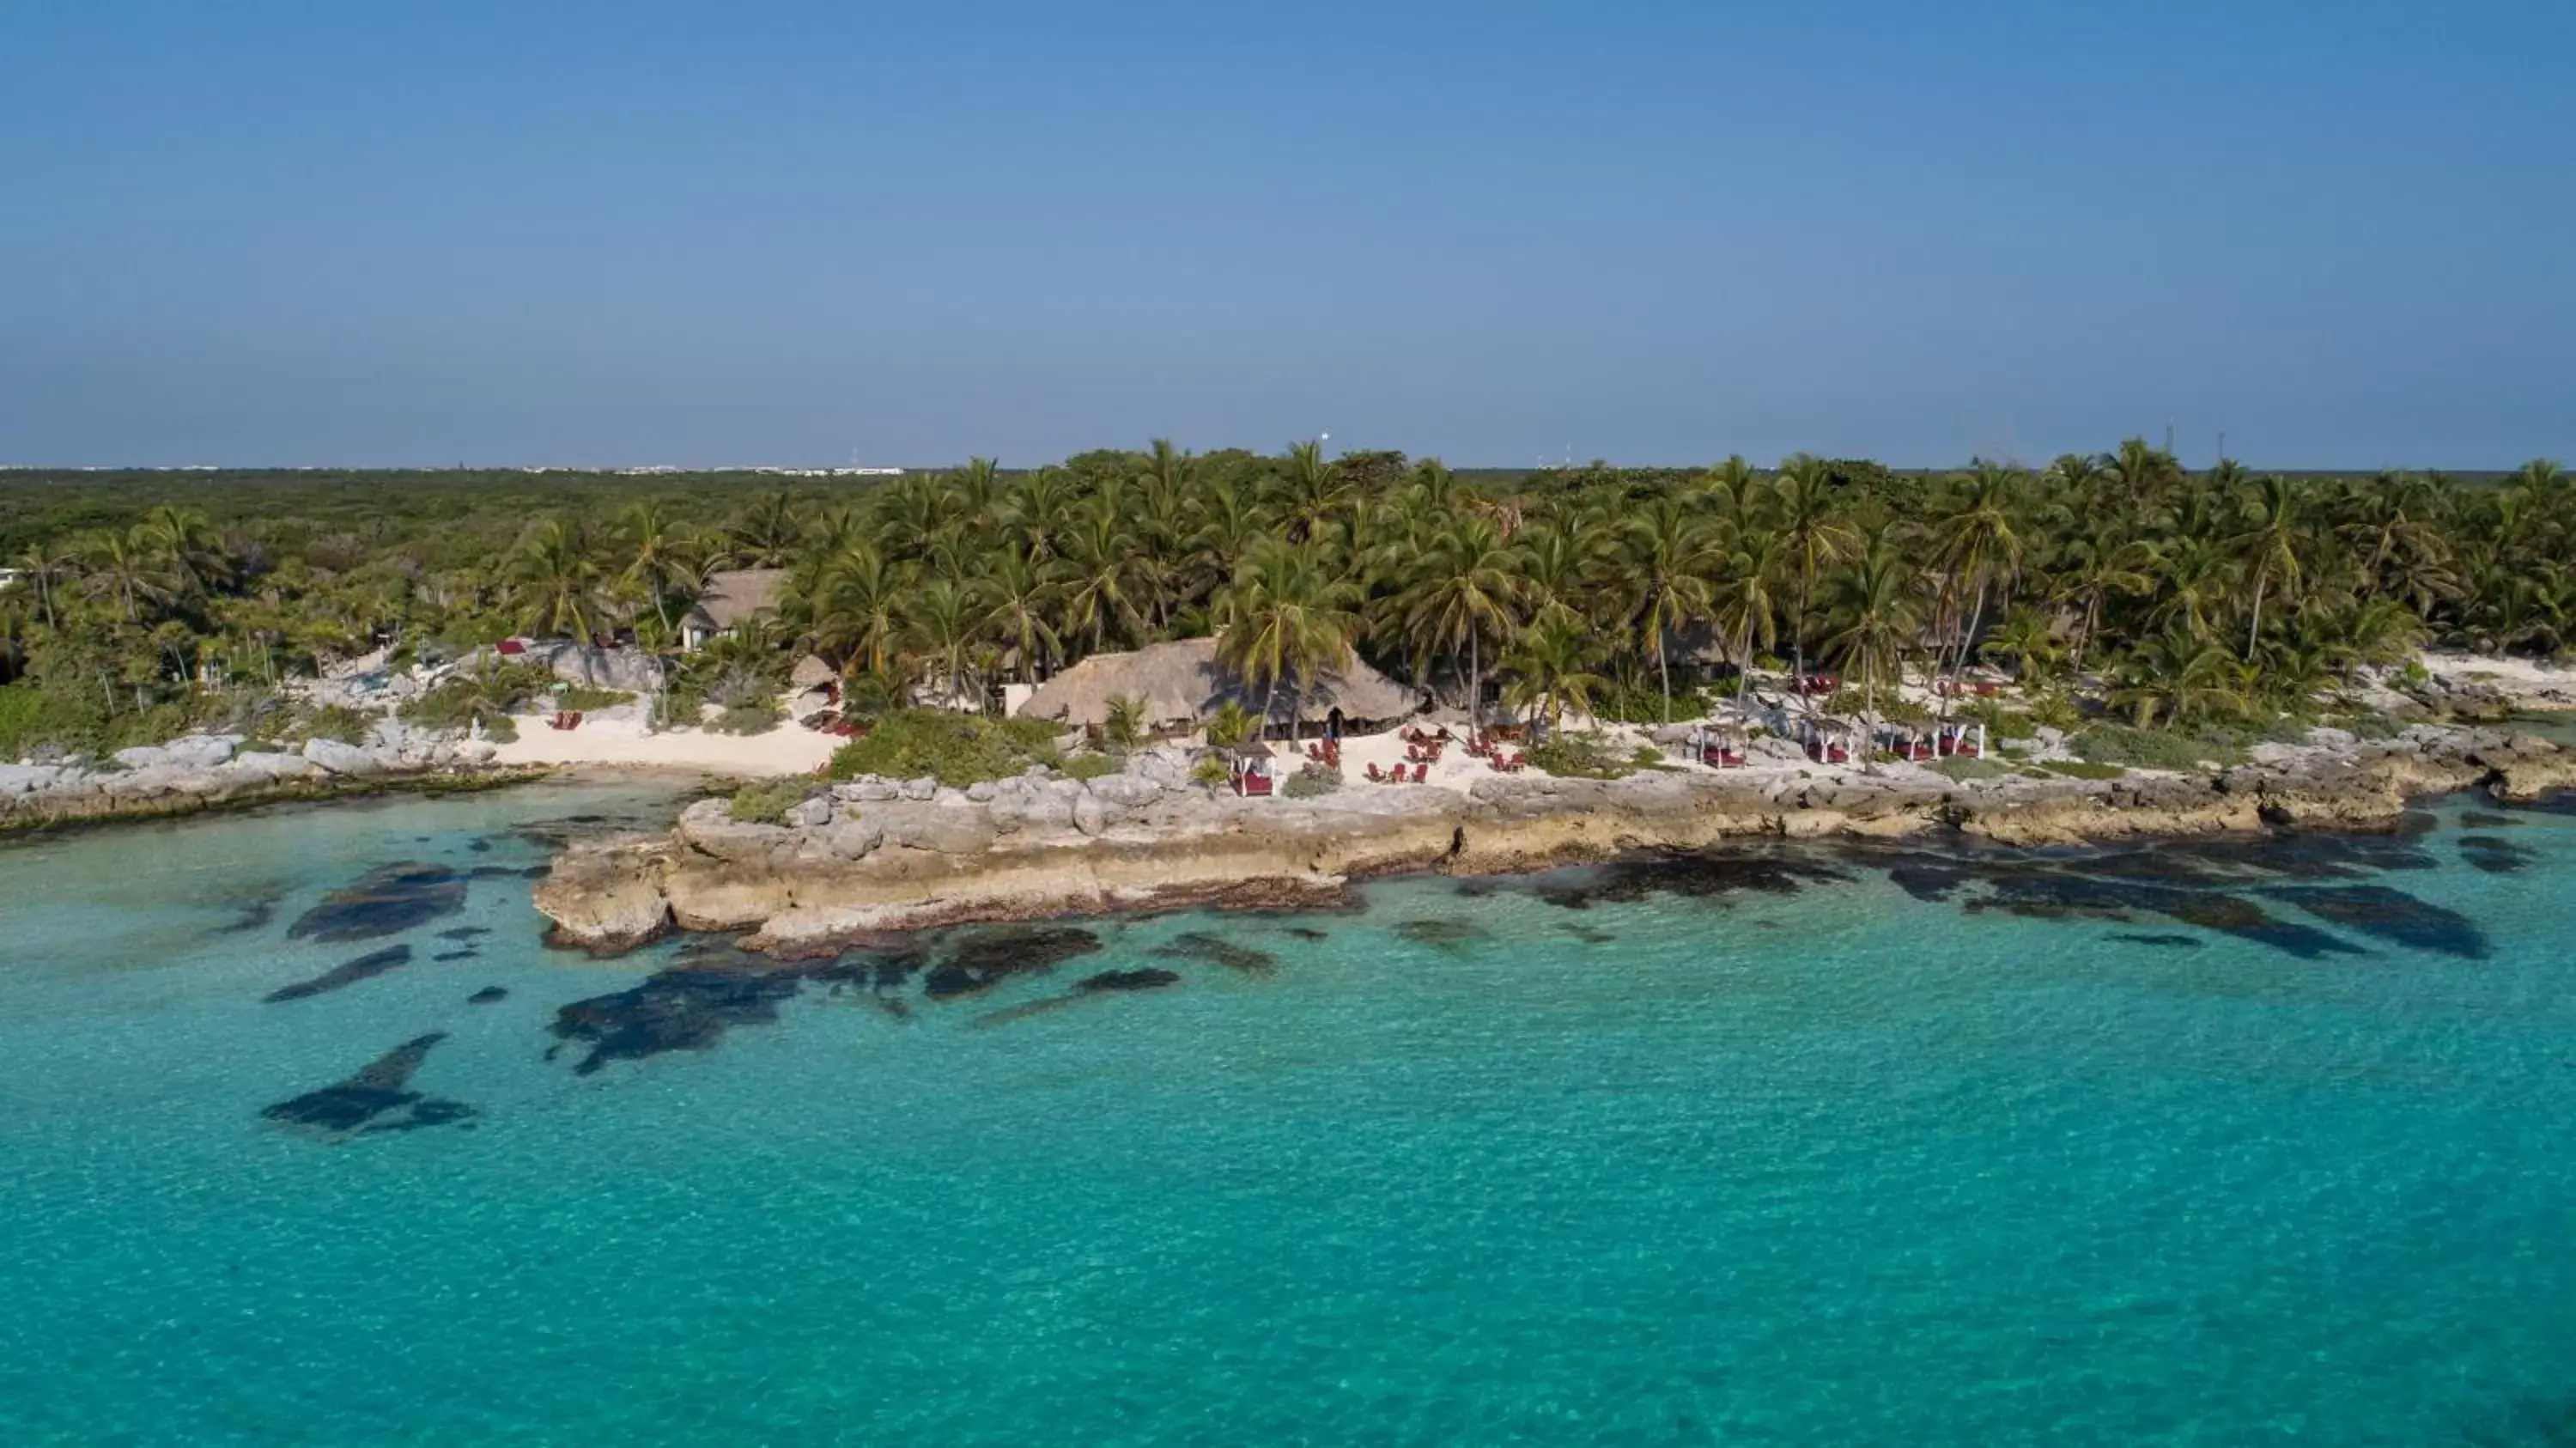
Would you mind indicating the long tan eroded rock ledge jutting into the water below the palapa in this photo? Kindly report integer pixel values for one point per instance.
(903, 857)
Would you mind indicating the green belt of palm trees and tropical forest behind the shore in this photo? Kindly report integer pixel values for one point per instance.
(2116, 586)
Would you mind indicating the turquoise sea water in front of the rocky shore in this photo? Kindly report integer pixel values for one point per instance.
(1792, 1150)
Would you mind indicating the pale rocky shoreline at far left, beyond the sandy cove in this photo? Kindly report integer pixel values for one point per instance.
(223, 772)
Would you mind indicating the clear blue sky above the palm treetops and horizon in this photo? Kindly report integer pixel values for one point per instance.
(292, 233)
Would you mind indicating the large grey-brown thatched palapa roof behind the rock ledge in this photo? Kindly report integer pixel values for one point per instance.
(1184, 684)
